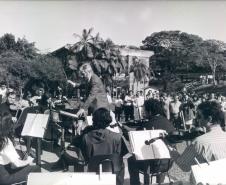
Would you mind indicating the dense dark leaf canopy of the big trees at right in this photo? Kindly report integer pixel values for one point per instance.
(177, 52)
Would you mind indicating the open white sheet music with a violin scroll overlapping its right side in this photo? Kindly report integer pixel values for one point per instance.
(156, 150)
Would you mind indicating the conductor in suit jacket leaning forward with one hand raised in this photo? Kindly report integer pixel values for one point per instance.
(96, 94)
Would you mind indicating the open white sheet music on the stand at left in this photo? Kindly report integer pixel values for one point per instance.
(35, 125)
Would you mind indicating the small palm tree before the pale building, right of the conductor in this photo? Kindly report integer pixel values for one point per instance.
(140, 71)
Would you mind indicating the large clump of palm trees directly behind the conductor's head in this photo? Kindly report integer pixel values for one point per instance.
(103, 55)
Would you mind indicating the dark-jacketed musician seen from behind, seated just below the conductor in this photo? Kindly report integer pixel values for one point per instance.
(96, 140)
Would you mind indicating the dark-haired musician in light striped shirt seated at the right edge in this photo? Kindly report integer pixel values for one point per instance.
(209, 146)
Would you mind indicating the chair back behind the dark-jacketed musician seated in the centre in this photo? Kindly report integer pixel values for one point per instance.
(110, 163)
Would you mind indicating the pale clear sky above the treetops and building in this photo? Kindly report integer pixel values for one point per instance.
(51, 24)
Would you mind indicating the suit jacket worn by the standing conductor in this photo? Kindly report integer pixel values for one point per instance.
(97, 96)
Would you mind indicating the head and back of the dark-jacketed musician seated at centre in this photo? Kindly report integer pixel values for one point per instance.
(101, 141)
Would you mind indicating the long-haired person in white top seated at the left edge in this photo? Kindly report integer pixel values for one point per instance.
(12, 168)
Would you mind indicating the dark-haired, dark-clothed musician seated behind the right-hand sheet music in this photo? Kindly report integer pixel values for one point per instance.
(155, 113)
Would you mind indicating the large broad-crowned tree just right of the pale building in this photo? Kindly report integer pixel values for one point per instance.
(174, 51)
